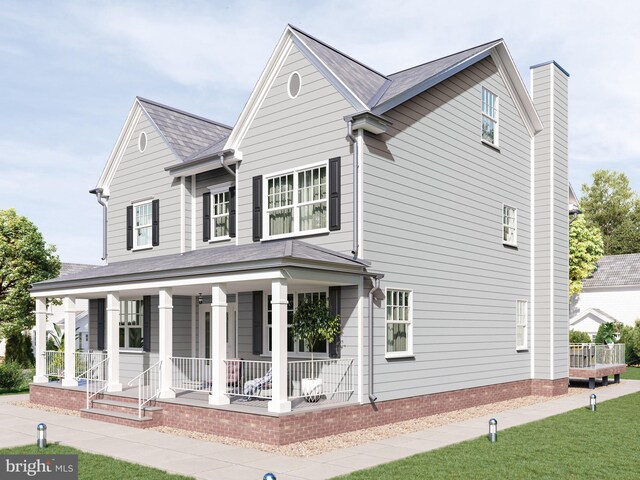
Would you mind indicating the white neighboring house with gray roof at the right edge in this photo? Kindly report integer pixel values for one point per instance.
(613, 290)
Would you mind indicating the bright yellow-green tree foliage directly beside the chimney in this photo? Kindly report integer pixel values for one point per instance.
(585, 248)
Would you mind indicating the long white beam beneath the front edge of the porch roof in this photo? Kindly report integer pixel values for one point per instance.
(165, 283)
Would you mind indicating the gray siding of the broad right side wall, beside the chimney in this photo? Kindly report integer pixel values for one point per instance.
(433, 198)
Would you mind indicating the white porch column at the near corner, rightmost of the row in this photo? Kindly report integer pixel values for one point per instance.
(279, 402)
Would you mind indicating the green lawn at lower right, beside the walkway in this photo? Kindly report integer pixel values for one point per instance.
(575, 445)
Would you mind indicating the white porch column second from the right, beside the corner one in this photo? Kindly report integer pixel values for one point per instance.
(218, 345)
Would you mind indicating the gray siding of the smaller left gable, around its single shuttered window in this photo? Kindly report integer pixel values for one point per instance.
(140, 176)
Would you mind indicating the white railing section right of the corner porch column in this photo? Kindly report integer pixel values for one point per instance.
(330, 378)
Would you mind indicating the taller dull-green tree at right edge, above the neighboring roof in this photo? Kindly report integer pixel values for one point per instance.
(611, 205)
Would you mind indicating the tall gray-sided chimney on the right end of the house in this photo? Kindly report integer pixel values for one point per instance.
(551, 223)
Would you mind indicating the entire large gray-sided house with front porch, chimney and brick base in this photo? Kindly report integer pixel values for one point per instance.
(429, 203)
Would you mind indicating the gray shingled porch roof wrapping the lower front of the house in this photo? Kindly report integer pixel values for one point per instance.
(212, 260)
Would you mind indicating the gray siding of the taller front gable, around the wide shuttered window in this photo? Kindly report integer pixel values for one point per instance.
(289, 133)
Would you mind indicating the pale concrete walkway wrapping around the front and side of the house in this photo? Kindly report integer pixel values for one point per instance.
(202, 459)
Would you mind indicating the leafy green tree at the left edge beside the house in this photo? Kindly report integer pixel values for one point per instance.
(25, 258)
